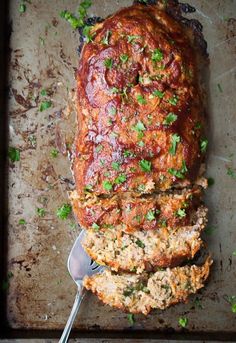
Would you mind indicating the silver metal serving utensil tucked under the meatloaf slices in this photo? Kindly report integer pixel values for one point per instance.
(79, 264)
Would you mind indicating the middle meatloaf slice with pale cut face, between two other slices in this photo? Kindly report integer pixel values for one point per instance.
(145, 250)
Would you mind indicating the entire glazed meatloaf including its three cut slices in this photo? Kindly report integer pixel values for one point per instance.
(139, 154)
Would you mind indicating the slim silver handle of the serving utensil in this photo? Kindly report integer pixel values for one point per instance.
(78, 298)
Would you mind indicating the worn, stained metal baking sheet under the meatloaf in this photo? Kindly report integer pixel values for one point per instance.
(43, 55)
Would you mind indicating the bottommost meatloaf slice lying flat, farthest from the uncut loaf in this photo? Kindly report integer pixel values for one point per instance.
(144, 292)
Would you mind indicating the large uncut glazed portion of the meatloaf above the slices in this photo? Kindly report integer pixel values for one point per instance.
(140, 108)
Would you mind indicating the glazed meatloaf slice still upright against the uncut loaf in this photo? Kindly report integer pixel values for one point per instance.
(173, 209)
